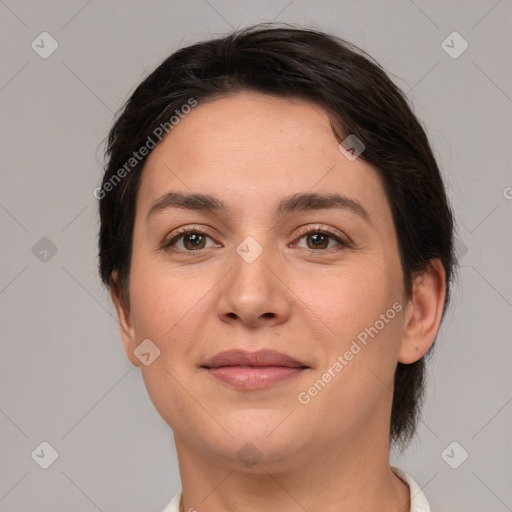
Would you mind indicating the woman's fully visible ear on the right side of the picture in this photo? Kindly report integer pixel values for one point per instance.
(423, 313)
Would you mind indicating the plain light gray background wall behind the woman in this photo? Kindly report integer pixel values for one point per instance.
(64, 376)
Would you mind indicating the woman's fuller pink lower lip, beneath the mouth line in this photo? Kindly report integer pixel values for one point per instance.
(254, 377)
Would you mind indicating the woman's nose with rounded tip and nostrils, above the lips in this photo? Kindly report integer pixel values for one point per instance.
(254, 292)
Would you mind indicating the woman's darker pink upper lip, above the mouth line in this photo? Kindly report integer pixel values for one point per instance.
(258, 358)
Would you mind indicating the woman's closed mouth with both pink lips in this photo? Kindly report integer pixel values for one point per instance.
(253, 370)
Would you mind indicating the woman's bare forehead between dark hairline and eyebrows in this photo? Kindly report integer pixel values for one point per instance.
(252, 149)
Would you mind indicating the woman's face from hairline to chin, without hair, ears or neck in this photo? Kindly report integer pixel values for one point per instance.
(319, 283)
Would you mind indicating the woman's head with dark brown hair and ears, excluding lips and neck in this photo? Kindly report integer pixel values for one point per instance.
(345, 252)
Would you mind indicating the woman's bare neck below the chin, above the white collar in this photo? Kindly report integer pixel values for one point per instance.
(344, 476)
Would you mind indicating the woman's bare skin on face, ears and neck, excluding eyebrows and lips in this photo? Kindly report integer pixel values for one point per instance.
(310, 303)
